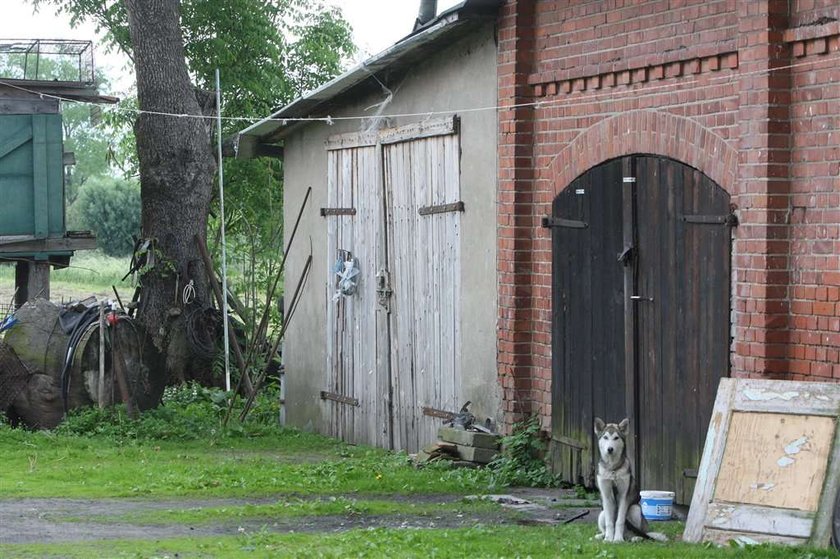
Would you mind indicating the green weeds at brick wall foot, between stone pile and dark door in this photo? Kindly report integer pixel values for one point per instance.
(521, 460)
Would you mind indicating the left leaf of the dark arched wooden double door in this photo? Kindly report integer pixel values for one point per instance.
(588, 315)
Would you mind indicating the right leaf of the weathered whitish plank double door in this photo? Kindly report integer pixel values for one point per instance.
(423, 200)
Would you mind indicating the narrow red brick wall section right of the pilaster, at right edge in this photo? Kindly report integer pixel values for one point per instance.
(814, 213)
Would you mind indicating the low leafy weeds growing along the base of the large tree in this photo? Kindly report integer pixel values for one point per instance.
(187, 412)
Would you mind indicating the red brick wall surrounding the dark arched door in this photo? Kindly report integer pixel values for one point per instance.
(730, 87)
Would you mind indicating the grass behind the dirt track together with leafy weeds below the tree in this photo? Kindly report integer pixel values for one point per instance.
(183, 449)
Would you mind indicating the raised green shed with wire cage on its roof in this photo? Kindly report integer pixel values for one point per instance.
(37, 75)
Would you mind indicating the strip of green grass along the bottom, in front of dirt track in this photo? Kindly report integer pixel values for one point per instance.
(474, 542)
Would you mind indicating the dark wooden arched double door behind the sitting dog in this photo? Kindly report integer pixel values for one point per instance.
(641, 315)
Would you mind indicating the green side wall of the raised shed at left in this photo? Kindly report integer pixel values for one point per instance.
(31, 176)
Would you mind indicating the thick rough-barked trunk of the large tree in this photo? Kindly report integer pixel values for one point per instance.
(176, 173)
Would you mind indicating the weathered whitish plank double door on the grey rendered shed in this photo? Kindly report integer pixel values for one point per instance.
(393, 346)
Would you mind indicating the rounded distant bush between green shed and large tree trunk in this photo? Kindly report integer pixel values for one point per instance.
(111, 209)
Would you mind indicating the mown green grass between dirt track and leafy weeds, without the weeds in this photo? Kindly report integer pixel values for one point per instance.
(49, 465)
